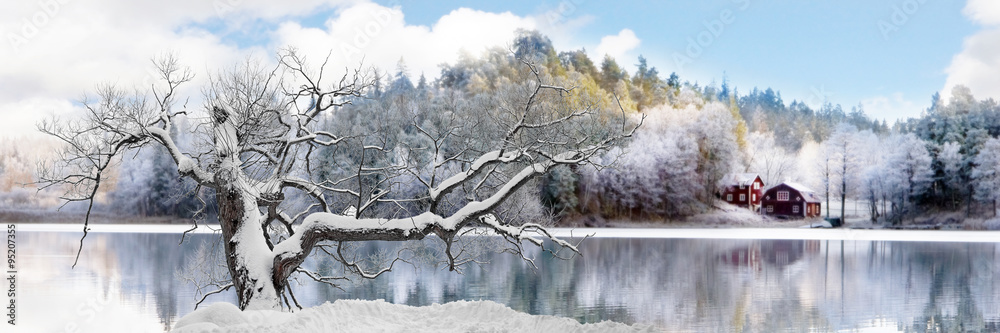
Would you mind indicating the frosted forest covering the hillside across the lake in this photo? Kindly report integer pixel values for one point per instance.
(692, 134)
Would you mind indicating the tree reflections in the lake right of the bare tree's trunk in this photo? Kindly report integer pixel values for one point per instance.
(703, 285)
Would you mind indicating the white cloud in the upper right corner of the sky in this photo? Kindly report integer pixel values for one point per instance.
(979, 61)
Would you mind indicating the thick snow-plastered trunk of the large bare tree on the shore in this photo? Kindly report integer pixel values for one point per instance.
(247, 255)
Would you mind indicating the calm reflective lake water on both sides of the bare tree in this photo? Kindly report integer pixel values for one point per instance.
(132, 282)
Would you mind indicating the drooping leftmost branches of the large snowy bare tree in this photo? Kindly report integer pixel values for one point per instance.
(117, 121)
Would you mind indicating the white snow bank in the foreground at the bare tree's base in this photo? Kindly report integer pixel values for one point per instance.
(380, 316)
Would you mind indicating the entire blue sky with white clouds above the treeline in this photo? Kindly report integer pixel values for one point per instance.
(889, 55)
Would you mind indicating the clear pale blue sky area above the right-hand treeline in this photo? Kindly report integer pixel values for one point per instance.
(809, 50)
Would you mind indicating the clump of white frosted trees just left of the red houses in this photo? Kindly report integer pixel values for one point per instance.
(672, 166)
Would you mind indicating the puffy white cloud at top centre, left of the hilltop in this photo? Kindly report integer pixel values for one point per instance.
(380, 36)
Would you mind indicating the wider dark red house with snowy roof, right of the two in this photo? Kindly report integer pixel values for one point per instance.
(790, 200)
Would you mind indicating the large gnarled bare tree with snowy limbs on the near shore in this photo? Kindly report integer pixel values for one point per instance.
(262, 132)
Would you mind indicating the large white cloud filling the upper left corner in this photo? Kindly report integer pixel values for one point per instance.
(56, 50)
